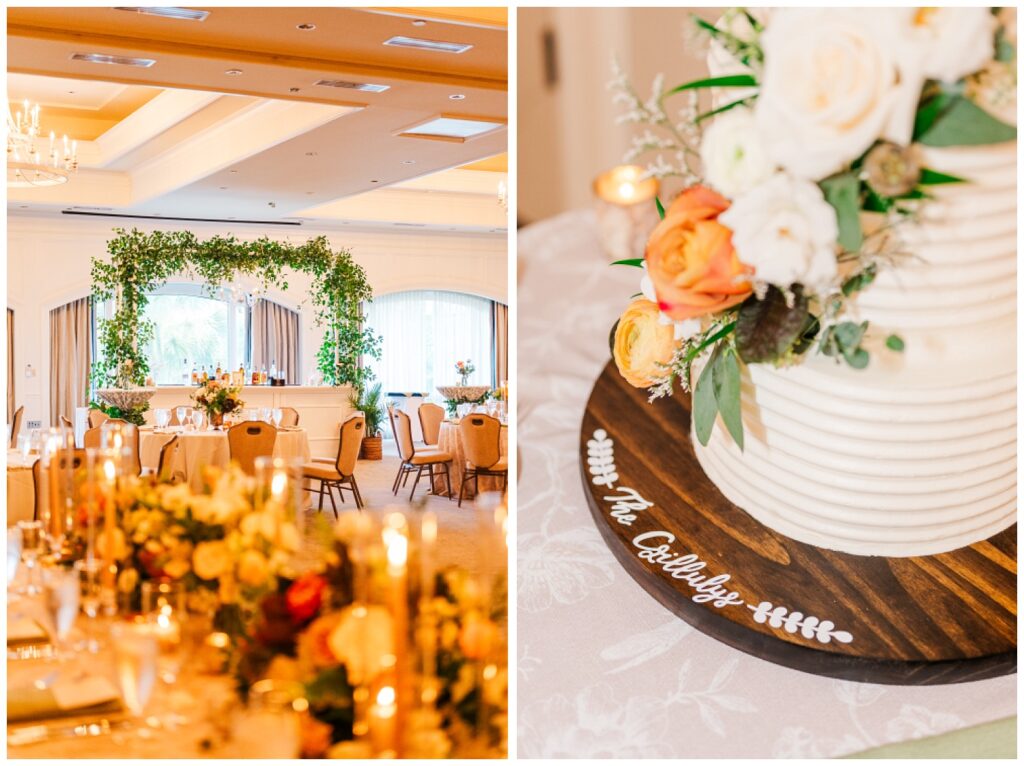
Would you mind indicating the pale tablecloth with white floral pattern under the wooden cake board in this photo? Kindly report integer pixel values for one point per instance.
(605, 670)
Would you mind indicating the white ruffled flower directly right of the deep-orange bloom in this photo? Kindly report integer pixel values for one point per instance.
(787, 231)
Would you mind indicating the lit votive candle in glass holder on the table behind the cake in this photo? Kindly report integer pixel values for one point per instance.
(626, 210)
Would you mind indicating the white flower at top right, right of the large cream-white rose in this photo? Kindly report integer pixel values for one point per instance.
(934, 44)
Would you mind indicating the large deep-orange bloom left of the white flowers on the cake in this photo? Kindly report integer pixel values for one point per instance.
(691, 259)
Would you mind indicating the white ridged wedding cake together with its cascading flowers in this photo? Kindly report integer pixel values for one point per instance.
(838, 289)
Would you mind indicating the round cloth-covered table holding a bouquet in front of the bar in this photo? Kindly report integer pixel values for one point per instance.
(200, 449)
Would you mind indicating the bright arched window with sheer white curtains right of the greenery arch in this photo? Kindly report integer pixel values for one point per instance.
(425, 333)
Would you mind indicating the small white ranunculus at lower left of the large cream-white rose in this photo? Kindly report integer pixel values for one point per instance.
(733, 154)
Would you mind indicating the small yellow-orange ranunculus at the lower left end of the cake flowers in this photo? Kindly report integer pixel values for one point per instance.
(644, 344)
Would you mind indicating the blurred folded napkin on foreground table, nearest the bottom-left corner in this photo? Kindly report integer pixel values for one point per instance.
(66, 697)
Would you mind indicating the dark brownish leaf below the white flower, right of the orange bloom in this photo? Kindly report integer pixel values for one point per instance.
(767, 329)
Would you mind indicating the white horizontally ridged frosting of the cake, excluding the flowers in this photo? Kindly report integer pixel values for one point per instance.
(918, 454)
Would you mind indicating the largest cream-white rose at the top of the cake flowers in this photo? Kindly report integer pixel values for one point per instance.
(828, 90)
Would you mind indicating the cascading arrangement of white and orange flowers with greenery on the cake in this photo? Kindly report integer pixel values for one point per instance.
(798, 176)
